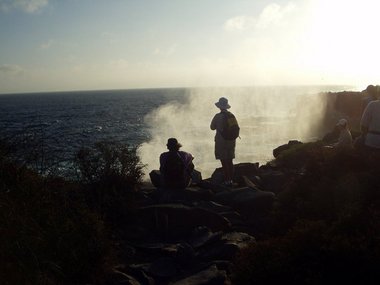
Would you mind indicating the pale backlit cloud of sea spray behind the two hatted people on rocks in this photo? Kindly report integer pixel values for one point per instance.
(268, 117)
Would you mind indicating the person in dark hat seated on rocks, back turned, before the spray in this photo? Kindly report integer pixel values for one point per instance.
(176, 166)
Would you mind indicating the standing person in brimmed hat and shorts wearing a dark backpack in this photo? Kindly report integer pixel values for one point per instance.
(227, 130)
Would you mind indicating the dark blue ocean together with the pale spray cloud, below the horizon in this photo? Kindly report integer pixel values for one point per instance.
(60, 123)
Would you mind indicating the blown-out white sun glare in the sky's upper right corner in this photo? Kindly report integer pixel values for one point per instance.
(344, 39)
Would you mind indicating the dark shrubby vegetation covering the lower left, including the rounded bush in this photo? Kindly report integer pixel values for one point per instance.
(62, 231)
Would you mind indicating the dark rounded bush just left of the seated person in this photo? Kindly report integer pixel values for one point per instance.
(111, 174)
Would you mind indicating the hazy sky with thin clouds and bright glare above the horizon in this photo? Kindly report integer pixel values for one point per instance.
(55, 45)
